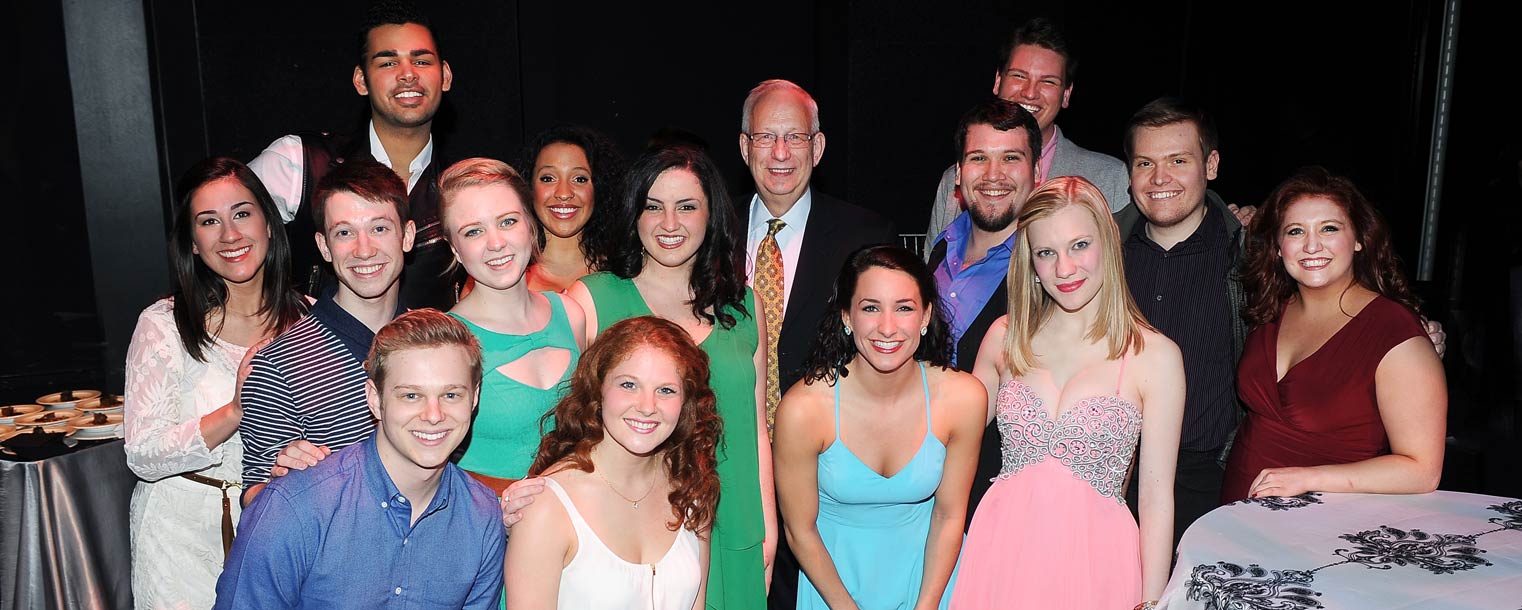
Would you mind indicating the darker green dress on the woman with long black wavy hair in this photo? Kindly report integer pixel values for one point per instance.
(737, 570)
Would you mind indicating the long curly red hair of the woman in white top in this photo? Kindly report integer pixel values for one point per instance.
(689, 454)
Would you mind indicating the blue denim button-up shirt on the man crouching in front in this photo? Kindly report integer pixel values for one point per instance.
(340, 536)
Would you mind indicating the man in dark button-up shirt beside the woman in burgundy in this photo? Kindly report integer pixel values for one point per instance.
(1183, 250)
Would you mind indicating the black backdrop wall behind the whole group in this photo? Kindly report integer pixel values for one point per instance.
(1290, 83)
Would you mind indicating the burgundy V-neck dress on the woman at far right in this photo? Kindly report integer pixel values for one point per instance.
(1325, 410)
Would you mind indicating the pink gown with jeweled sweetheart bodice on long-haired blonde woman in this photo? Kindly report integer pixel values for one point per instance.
(1054, 532)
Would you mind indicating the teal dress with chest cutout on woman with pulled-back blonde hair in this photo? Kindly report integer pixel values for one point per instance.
(505, 437)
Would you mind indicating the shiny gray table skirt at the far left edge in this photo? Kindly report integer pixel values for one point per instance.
(65, 541)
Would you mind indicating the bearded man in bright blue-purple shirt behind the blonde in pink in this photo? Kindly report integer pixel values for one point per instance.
(999, 144)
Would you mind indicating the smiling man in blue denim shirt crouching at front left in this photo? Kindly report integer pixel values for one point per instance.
(389, 523)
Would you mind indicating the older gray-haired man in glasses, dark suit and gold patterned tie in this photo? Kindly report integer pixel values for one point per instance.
(797, 241)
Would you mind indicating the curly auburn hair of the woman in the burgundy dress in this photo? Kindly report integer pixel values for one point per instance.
(1377, 267)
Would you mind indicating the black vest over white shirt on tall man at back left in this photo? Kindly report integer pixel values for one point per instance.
(424, 278)
